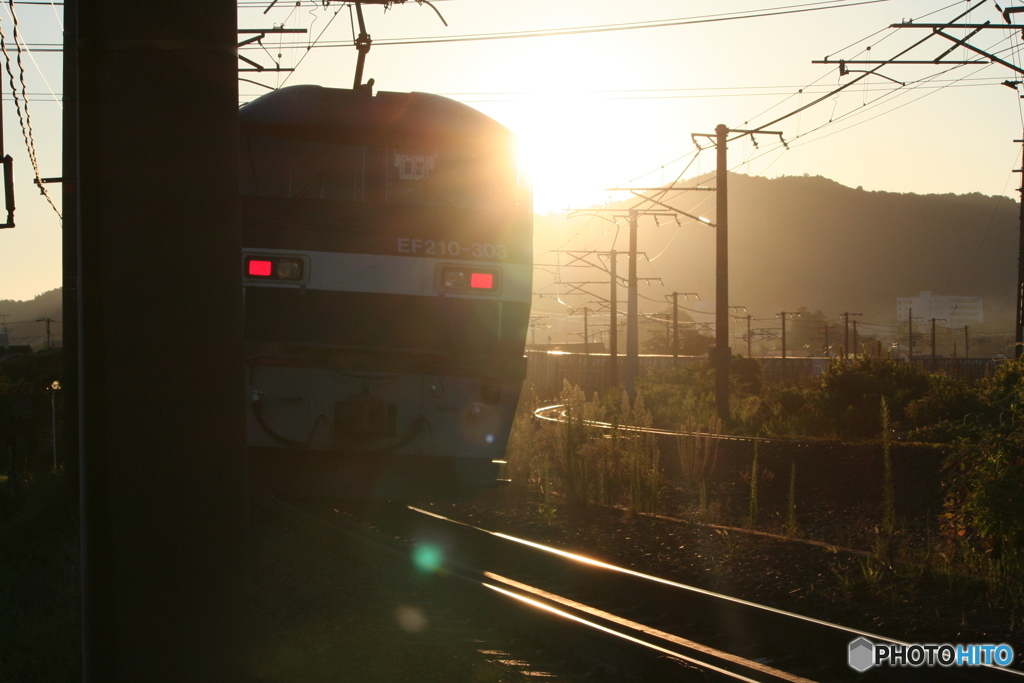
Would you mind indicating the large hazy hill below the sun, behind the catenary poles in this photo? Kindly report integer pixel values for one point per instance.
(809, 242)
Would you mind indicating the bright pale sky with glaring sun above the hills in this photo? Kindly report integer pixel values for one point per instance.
(596, 110)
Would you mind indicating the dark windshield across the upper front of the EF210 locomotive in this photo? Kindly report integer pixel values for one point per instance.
(286, 168)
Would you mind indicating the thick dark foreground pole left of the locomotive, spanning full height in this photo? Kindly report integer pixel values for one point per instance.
(164, 492)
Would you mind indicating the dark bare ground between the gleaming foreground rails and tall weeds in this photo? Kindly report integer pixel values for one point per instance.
(914, 600)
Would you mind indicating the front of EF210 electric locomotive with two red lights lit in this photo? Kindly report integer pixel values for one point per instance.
(388, 270)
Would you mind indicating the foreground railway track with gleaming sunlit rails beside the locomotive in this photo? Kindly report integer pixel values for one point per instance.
(643, 627)
